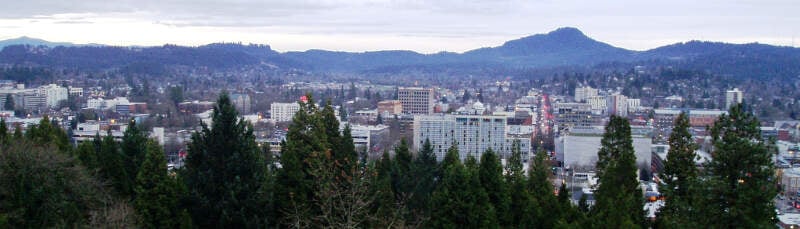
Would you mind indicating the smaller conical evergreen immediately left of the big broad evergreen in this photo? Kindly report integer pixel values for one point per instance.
(157, 197)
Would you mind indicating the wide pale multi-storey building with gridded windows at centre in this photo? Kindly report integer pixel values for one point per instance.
(473, 134)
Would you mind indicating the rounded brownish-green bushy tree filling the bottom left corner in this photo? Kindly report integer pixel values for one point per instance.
(42, 188)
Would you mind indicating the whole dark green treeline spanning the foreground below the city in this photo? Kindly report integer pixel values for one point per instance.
(319, 180)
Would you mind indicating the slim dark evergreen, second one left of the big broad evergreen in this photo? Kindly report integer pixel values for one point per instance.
(133, 146)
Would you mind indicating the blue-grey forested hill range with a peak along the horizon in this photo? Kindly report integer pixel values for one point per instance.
(561, 47)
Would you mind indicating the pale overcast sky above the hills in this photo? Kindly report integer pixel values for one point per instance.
(423, 26)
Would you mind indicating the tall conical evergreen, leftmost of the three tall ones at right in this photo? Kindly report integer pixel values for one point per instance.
(618, 199)
